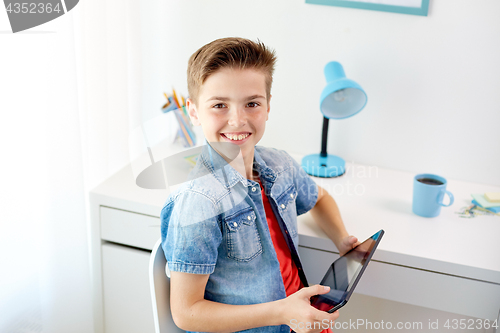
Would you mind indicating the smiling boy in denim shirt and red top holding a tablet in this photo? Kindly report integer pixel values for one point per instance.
(230, 233)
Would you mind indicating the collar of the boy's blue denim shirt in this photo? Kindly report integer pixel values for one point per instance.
(227, 175)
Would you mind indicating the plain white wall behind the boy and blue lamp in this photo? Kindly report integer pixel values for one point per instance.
(432, 82)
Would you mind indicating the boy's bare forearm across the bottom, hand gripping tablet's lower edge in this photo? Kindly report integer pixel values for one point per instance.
(192, 312)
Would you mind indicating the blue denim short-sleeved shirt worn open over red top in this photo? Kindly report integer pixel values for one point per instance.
(215, 224)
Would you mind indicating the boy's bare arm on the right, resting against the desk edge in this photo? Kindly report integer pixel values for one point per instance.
(327, 215)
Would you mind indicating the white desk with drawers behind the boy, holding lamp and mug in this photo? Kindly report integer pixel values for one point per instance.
(446, 263)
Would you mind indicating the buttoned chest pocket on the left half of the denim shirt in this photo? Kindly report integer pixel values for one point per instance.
(242, 235)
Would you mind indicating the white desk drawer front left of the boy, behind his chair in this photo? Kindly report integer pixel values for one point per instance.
(129, 228)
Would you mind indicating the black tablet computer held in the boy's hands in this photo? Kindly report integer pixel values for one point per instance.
(344, 274)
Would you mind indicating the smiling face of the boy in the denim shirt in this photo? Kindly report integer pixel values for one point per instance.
(232, 107)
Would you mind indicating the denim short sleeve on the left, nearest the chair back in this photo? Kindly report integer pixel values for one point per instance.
(190, 233)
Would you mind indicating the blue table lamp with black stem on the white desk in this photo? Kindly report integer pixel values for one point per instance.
(341, 98)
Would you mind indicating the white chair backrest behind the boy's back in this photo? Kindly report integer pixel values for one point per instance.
(160, 292)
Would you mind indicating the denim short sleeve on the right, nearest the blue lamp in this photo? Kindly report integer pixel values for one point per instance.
(307, 189)
